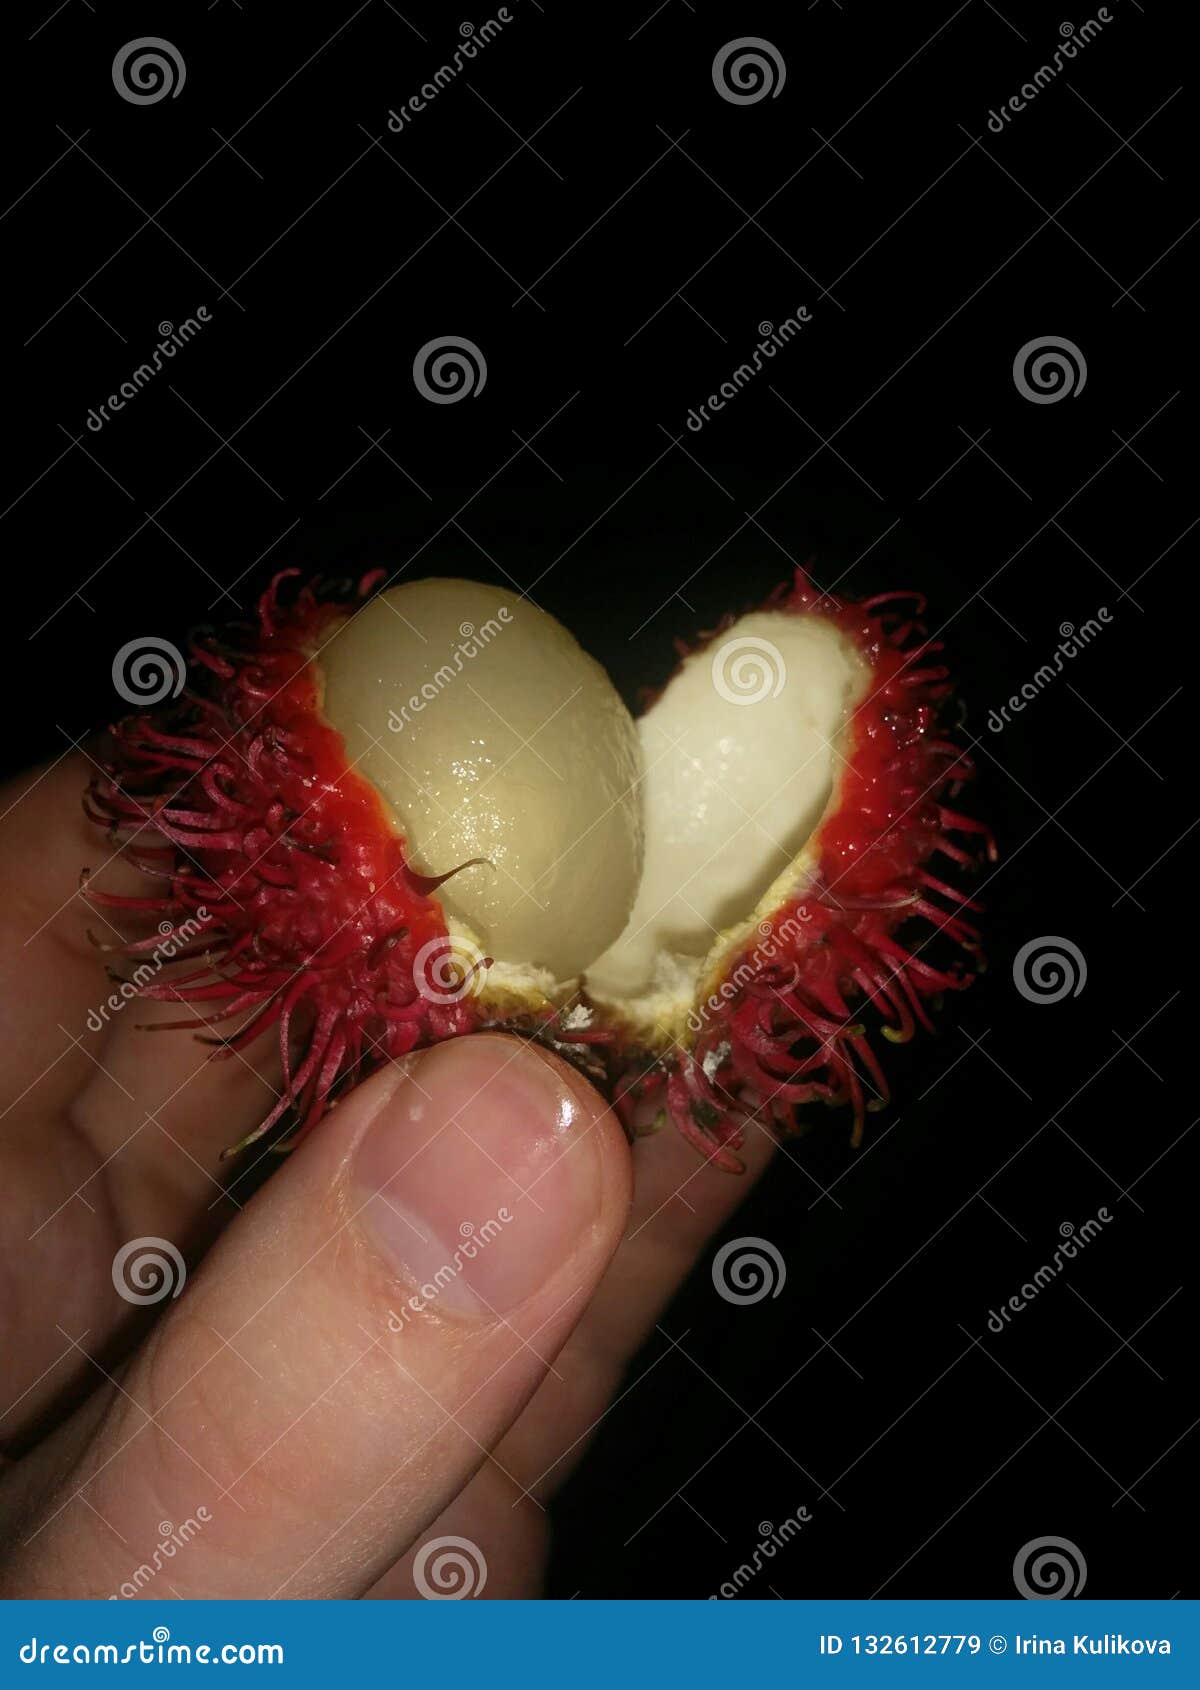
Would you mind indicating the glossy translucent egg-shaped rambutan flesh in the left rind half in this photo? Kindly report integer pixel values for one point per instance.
(493, 734)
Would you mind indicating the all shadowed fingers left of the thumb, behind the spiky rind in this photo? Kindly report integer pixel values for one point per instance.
(107, 1133)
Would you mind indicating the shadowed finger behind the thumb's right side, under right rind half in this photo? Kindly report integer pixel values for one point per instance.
(679, 1206)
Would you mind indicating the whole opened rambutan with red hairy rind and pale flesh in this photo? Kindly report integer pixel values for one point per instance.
(396, 817)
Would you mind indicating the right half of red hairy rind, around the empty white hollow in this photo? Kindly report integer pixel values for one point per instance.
(780, 1032)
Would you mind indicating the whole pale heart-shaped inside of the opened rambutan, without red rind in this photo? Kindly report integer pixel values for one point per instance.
(628, 854)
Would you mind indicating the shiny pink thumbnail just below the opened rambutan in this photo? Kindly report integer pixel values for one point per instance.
(479, 1177)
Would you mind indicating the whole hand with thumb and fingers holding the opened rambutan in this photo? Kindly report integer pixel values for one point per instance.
(410, 1333)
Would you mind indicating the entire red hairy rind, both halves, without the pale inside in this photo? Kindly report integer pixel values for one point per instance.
(292, 890)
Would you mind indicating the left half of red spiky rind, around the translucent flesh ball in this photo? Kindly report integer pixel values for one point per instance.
(280, 866)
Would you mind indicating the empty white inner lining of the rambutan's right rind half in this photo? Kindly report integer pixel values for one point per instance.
(743, 755)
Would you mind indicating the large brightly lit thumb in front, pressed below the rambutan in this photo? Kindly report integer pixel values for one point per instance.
(354, 1346)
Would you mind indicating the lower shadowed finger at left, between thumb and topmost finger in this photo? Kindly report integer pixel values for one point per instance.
(134, 1157)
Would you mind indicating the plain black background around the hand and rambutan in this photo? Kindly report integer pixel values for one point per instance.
(609, 232)
